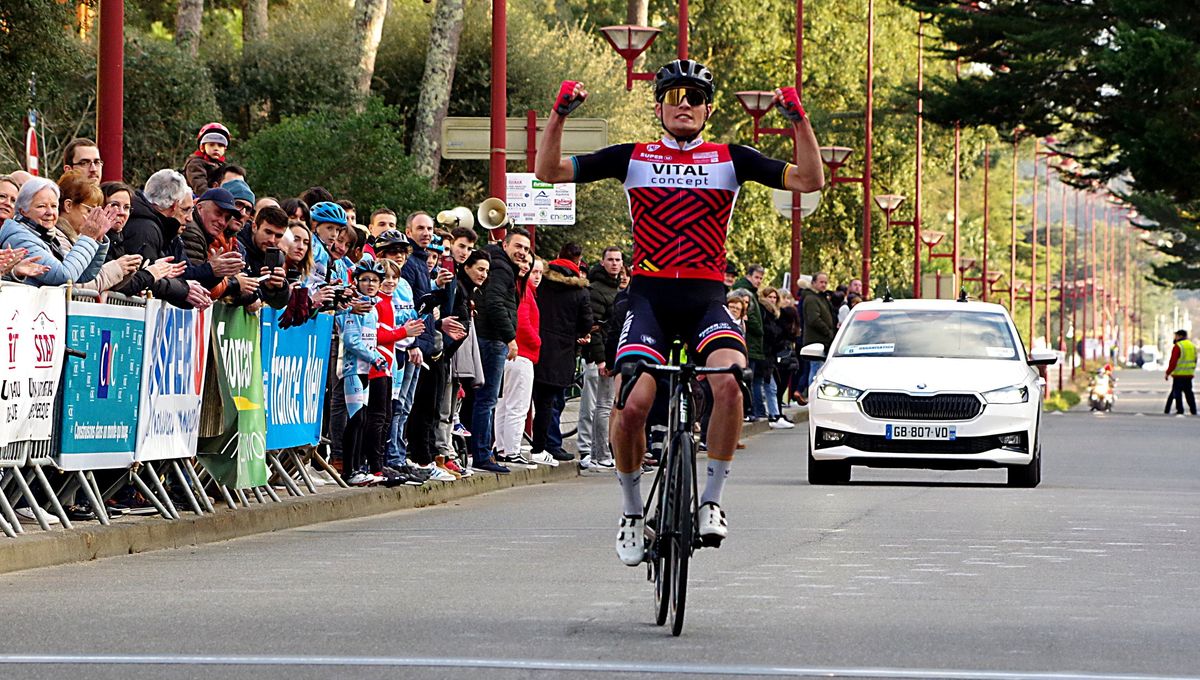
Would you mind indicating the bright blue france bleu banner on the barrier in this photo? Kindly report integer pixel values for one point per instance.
(295, 370)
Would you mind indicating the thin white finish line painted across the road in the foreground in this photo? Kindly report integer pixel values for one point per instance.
(566, 666)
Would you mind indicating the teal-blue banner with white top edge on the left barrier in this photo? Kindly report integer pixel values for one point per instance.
(101, 394)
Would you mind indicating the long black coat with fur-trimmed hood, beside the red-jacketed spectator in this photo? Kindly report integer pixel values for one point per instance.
(566, 308)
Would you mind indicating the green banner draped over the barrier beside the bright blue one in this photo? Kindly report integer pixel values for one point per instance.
(237, 458)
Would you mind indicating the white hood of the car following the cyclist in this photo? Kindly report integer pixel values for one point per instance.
(926, 375)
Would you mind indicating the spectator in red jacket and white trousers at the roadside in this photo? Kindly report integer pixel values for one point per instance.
(514, 404)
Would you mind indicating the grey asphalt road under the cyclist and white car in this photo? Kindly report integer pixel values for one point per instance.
(904, 574)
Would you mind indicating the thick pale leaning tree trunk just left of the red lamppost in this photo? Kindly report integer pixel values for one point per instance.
(440, 65)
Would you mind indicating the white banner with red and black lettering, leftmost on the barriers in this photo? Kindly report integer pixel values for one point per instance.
(34, 326)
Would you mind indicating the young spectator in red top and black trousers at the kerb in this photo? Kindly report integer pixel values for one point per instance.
(380, 381)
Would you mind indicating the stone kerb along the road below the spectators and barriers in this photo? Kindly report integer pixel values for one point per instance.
(131, 535)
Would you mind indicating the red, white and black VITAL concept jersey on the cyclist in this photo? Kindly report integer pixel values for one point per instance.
(681, 200)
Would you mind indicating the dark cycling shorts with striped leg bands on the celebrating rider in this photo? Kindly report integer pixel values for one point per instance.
(665, 310)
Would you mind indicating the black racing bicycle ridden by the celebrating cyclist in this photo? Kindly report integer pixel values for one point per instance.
(673, 533)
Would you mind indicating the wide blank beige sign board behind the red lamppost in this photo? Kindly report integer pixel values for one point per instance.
(469, 139)
